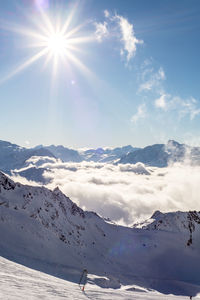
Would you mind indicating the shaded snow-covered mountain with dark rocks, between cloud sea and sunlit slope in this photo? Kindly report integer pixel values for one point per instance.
(45, 230)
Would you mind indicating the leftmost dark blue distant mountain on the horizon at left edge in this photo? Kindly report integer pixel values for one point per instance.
(13, 156)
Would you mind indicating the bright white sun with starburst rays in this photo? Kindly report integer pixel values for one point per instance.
(53, 38)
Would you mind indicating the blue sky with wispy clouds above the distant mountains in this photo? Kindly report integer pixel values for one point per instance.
(133, 80)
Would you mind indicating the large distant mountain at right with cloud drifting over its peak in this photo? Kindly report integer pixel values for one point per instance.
(160, 155)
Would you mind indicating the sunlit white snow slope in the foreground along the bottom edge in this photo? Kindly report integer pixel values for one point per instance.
(21, 283)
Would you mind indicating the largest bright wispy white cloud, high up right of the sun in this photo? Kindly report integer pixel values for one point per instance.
(127, 37)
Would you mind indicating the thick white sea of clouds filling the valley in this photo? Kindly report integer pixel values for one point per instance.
(124, 193)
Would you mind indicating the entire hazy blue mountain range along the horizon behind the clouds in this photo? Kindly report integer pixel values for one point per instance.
(14, 157)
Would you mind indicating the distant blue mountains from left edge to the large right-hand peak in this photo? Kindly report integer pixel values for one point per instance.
(13, 156)
